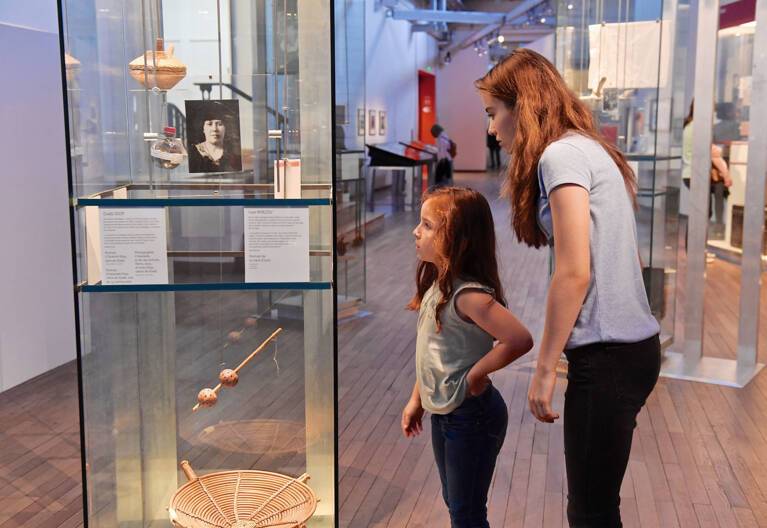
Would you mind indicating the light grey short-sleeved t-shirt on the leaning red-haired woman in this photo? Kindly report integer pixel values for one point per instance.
(615, 309)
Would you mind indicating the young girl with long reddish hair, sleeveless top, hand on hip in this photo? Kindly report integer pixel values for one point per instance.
(461, 315)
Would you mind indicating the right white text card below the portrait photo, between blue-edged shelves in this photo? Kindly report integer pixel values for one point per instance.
(276, 244)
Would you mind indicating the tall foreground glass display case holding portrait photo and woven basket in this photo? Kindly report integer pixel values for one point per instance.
(203, 212)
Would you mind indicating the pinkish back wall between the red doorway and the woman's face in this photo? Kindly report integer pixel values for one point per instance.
(460, 110)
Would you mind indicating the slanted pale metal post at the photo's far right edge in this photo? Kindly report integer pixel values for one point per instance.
(753, 217)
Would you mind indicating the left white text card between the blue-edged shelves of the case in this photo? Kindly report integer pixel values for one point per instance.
(133, 246)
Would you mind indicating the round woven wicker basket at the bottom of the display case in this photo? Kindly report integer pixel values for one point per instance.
(242, 499)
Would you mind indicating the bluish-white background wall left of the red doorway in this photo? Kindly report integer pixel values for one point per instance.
(393, 57)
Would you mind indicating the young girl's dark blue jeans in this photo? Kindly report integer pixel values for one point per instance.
(466, 444)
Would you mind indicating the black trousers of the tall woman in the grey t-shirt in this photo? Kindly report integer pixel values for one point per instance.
(607, 385)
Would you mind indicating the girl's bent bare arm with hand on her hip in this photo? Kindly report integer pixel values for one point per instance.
(514, 340)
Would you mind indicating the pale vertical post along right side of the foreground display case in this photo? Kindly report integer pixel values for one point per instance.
(317, 165)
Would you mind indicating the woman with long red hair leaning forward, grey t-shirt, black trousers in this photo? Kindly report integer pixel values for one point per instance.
(572, 190)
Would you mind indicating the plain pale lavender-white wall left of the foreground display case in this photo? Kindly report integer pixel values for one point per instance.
(36, 304)
